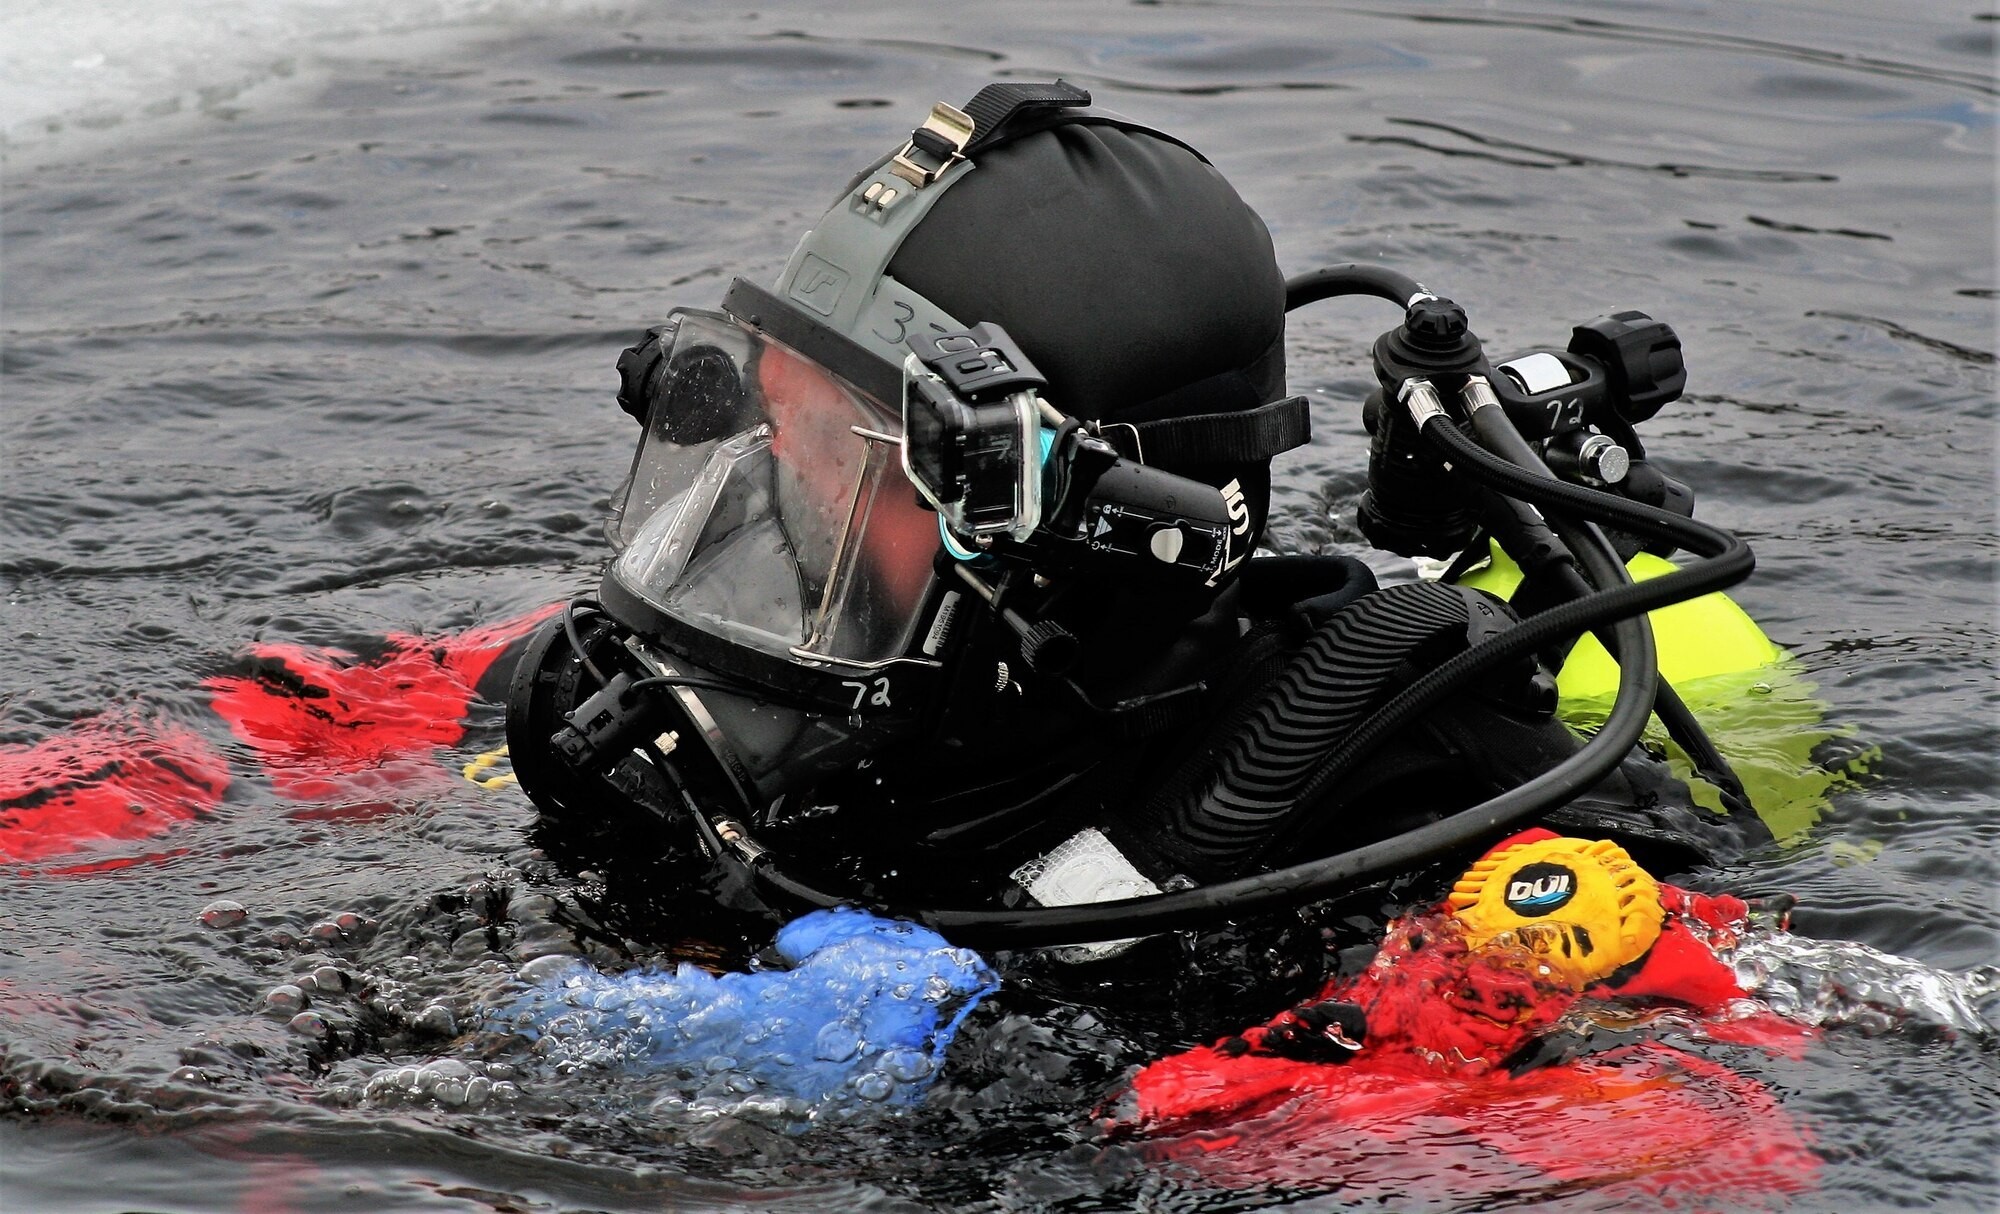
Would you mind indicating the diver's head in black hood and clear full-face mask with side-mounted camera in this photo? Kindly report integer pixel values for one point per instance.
(793, 597)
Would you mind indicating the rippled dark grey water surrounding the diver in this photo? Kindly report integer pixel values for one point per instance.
(313, 373)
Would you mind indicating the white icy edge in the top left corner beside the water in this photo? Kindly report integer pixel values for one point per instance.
(71, 69)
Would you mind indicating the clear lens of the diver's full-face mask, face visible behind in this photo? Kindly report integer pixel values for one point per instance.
(767, 507)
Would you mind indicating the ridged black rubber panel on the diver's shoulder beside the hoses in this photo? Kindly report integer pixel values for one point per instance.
(1341, 675)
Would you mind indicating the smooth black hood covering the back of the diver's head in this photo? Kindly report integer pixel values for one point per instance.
(1123, 263)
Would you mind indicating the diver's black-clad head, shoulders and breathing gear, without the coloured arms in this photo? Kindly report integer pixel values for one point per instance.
(933, 581)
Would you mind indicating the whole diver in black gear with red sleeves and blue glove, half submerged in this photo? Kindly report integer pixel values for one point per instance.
(935, 593)
